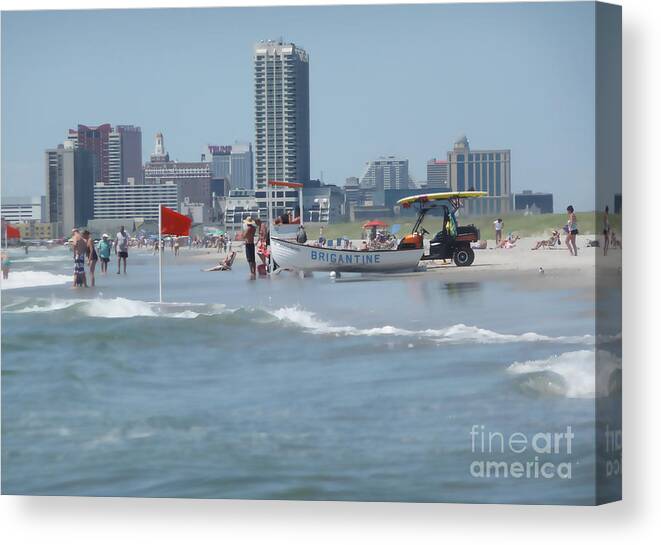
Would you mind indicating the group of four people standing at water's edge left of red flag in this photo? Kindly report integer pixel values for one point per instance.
(86, 252)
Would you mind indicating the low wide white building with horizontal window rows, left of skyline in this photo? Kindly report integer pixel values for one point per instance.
(113, 201)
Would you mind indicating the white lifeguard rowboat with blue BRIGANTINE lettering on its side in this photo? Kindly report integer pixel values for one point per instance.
(302, 257)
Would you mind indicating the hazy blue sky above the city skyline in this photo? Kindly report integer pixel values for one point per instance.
(384, 80)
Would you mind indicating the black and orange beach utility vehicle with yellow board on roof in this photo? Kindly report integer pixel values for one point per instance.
(452, 241)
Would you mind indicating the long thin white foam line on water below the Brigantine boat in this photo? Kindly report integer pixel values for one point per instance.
(458, 333)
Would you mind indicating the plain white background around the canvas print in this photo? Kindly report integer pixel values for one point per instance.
(636, 520)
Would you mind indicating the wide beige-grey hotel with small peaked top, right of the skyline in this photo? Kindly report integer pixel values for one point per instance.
(481, 170)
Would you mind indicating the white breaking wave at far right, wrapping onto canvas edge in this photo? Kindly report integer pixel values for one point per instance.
(571, 374)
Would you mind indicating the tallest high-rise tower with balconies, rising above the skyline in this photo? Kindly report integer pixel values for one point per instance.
(282, 113)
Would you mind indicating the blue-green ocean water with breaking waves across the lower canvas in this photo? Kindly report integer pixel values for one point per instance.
(377, 388)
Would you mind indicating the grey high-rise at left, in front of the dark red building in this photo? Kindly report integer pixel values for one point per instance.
(70, 176)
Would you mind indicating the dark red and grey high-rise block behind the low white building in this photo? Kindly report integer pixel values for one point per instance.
(117, 151)
